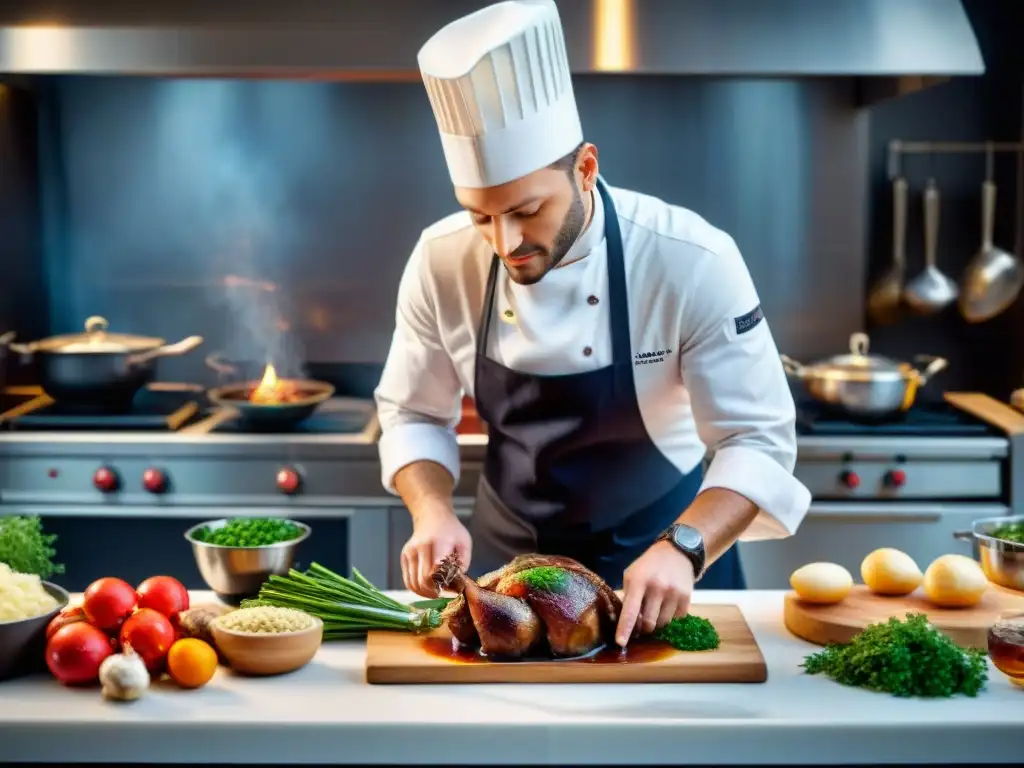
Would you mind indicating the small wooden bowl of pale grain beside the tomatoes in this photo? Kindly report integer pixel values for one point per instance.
(268, 641)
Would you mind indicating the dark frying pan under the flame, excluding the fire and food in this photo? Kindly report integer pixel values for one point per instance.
(268, 417)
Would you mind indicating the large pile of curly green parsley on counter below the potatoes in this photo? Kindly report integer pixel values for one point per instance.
(904, 658)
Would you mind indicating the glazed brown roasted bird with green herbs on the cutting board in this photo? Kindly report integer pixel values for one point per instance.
(535, 606)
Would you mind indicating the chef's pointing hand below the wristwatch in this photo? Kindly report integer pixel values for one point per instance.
(657, 589)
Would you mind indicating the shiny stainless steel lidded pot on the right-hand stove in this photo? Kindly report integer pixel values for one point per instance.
(863, 385)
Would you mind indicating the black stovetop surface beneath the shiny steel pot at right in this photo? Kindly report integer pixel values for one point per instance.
(925, 419)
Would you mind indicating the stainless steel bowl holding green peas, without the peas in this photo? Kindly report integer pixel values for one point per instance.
(236, 574)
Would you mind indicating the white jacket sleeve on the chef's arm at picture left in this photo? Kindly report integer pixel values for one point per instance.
(418, 398)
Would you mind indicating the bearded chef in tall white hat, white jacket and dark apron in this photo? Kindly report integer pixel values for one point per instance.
(610, 340)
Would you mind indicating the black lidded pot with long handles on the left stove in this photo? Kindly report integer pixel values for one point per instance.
(98, 368)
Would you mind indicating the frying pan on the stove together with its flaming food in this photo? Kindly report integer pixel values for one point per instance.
(272, 404)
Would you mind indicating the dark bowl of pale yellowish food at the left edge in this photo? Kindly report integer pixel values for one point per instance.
(28, 605)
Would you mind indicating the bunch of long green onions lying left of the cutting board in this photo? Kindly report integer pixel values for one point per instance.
(349, 608)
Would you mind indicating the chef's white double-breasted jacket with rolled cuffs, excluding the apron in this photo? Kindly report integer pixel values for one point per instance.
(706, 368)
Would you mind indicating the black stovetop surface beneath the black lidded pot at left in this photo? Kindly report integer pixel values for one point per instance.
(155, 408)
